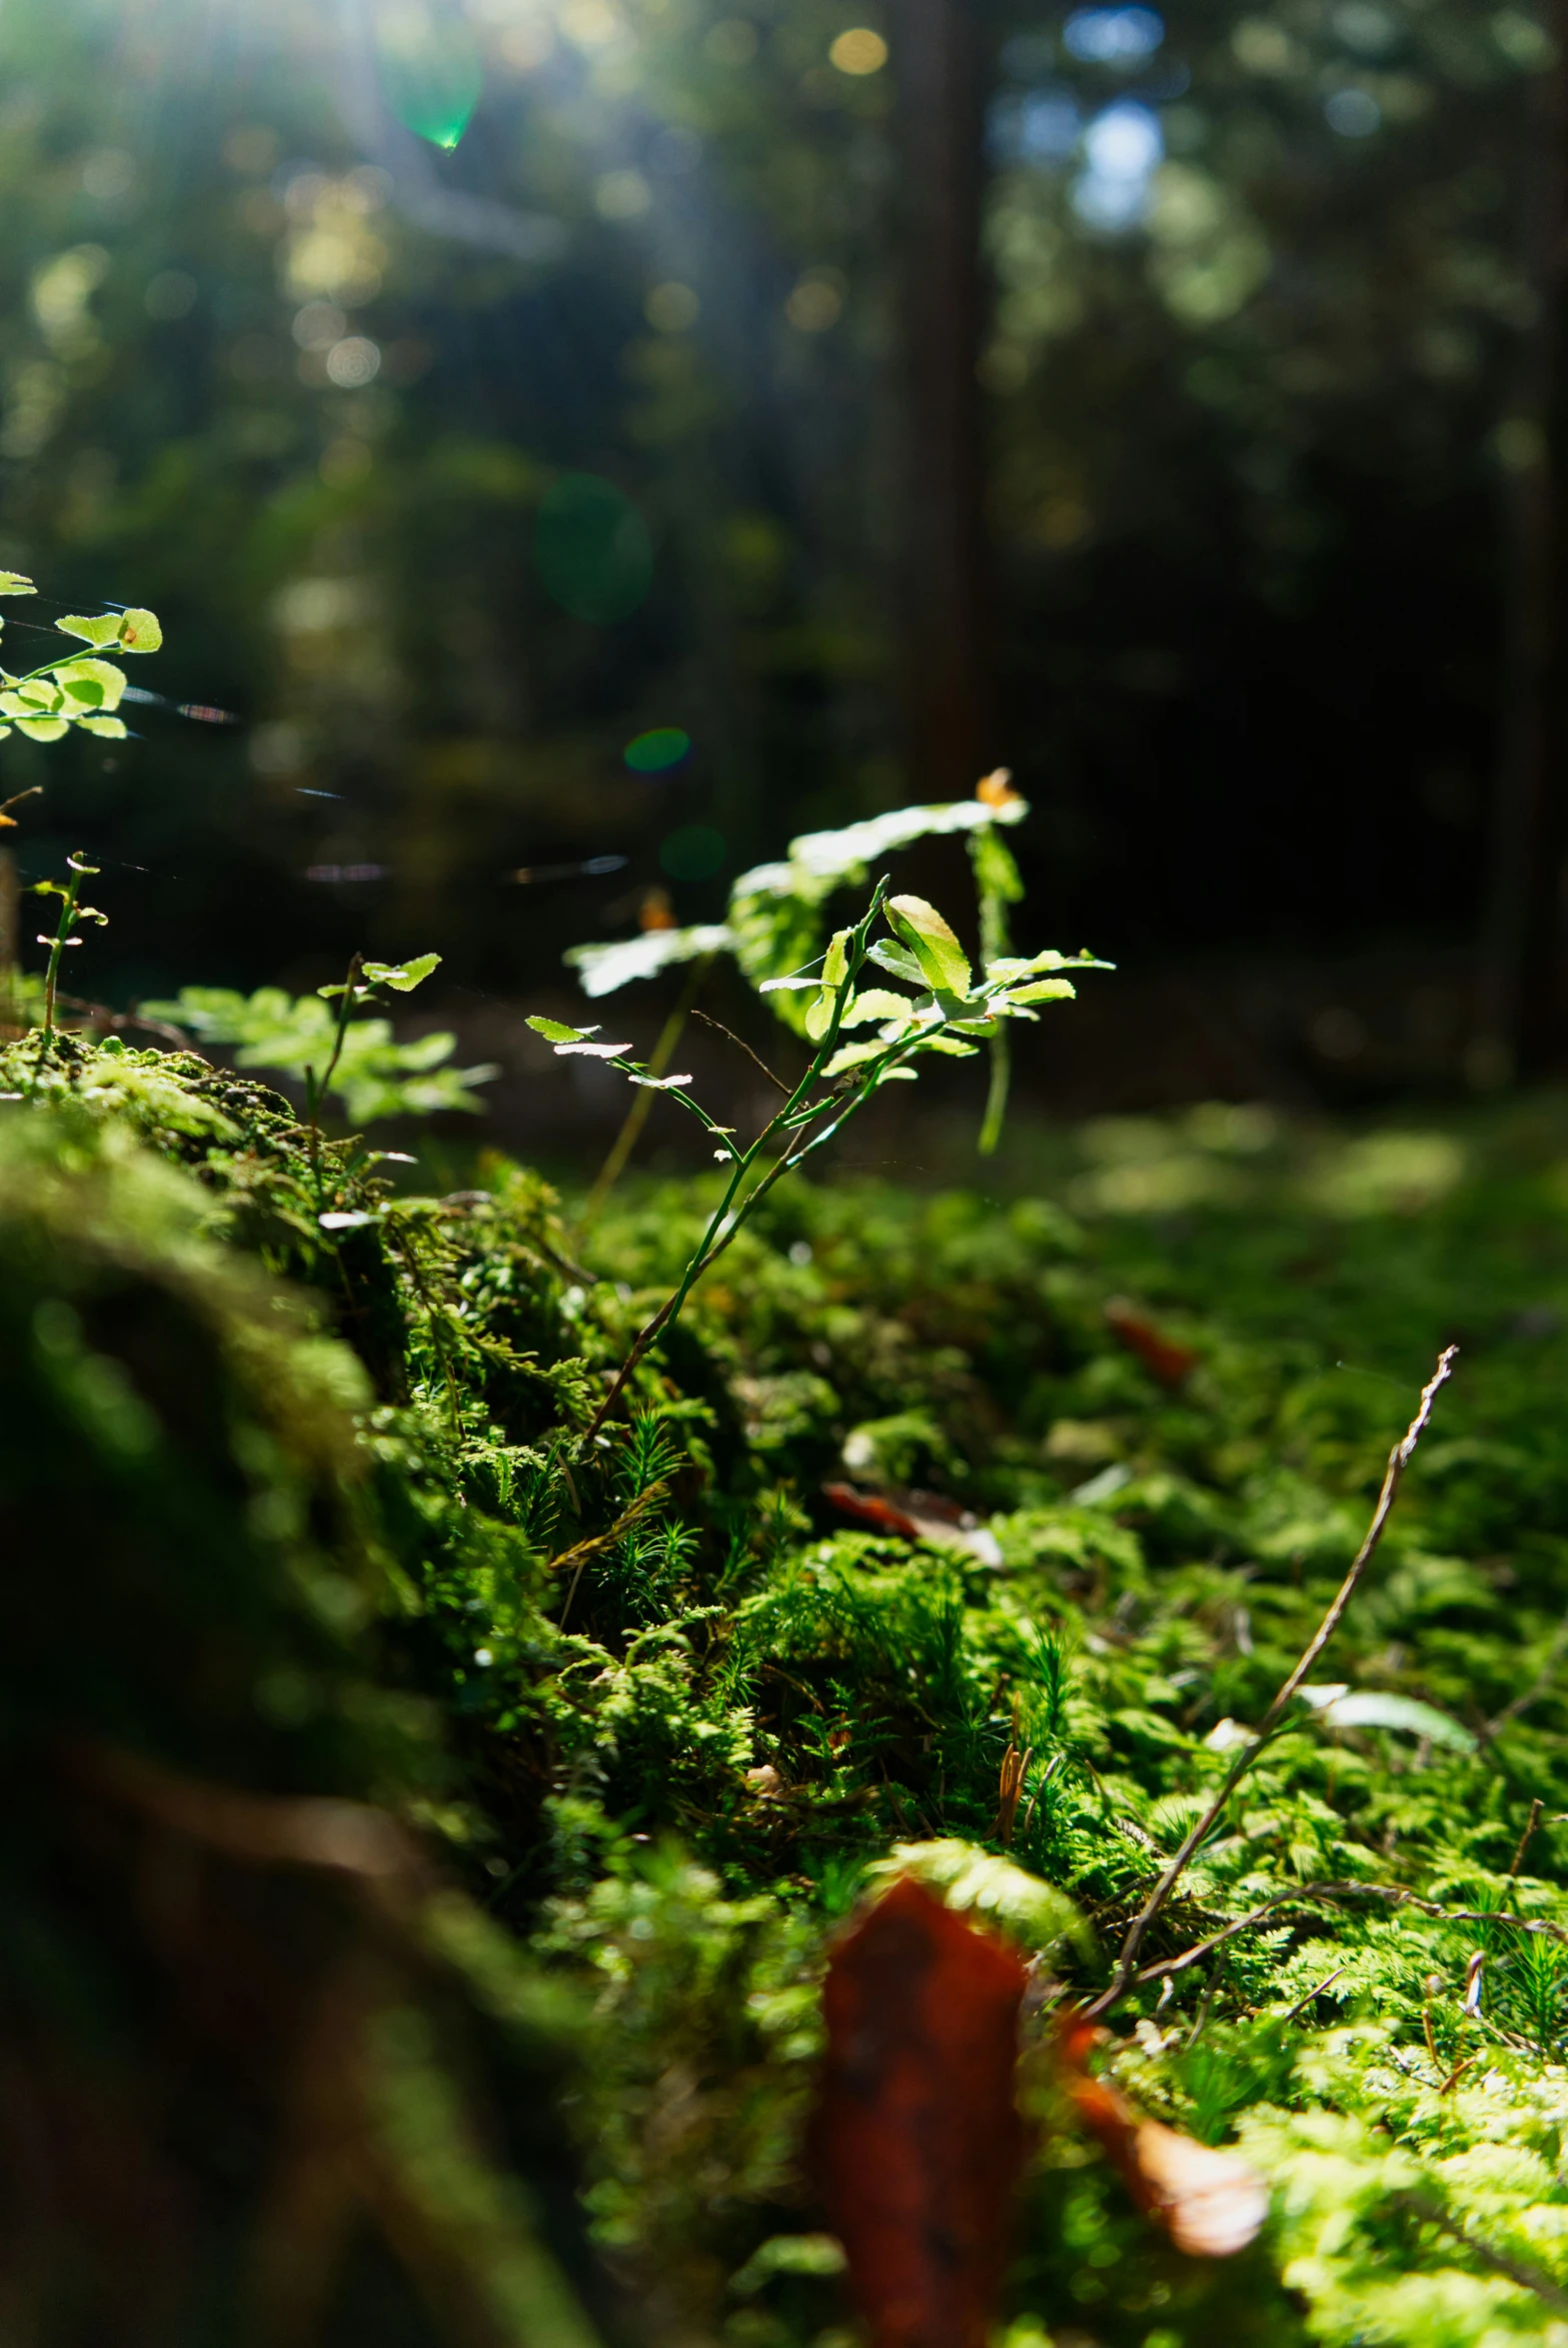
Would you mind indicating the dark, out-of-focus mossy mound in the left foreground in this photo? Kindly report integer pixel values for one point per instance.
(224, 1966)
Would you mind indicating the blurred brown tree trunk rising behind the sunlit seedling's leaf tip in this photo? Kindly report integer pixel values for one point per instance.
(942, 537)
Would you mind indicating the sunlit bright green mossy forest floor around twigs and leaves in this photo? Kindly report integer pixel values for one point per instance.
(670, 1708)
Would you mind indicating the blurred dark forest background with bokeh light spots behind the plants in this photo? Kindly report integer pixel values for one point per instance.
(581, 431)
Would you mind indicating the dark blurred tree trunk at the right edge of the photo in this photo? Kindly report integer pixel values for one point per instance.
(1525, 966)
